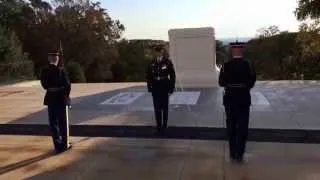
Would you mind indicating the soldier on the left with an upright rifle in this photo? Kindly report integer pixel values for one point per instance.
(55, 81)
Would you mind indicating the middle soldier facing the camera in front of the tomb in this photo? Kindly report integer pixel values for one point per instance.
(161, 83)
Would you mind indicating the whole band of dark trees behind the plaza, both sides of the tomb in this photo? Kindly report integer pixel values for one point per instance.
(94, 50)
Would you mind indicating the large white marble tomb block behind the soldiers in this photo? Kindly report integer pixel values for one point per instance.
(192, 51)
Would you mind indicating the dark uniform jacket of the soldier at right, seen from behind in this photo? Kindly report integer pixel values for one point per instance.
(238, 81)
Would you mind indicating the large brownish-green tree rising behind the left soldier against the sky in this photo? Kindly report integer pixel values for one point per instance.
(88, 34)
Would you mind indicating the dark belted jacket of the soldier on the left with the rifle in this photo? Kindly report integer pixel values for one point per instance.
(57, 84)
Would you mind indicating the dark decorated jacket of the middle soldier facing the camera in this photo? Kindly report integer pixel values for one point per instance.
(161, 76)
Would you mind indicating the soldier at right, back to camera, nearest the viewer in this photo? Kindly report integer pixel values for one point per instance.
(237, 77)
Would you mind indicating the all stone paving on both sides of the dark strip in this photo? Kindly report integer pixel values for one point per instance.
(276, 105)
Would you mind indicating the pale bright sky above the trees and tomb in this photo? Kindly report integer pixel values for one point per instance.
(151, 19)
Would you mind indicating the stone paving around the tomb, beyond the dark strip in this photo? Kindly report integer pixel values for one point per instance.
(276, 105)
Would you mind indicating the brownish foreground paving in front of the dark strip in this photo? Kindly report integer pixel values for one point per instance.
(114, 158)
